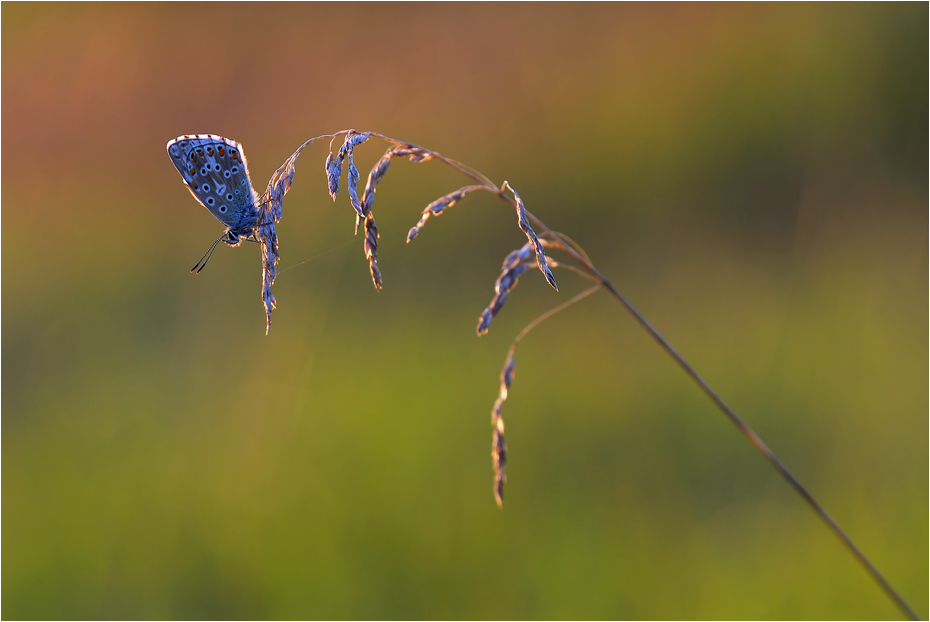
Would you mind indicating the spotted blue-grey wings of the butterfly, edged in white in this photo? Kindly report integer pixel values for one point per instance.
(215, 171)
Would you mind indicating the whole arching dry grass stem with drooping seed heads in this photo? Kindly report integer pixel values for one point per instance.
(517, 263)
